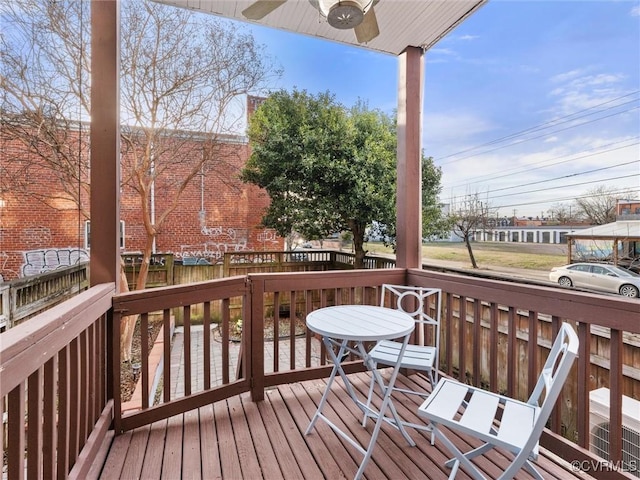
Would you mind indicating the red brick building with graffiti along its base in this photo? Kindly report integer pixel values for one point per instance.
(216, 213)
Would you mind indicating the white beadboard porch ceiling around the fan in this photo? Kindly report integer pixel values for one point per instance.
(402, 23)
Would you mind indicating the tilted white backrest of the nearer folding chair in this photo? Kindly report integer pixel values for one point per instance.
(553, 375)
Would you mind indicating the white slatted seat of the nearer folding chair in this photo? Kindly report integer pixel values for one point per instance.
(492, 418)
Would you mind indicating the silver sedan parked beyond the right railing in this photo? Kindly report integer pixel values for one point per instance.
(598, 276)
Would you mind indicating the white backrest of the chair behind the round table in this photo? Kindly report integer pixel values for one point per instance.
(422, 303)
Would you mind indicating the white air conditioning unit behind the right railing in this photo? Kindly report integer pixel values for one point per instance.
(599, 428)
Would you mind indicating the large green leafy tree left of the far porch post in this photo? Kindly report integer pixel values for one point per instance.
(325, 168)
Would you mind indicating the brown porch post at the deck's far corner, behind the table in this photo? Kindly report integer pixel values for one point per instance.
(409, 186)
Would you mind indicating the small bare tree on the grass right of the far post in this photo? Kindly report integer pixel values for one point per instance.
(469, 217)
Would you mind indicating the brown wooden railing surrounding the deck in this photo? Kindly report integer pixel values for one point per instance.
(487, 339)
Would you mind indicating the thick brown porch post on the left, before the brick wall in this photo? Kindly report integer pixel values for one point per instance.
(105, 142)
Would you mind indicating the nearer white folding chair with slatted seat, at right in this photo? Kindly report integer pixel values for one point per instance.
(497, 420)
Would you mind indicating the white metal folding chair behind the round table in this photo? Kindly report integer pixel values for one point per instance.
(424, 305)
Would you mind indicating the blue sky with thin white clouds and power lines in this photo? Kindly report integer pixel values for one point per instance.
(527, 103)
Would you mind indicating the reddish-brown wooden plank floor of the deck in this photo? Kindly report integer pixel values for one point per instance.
(239, 439)
